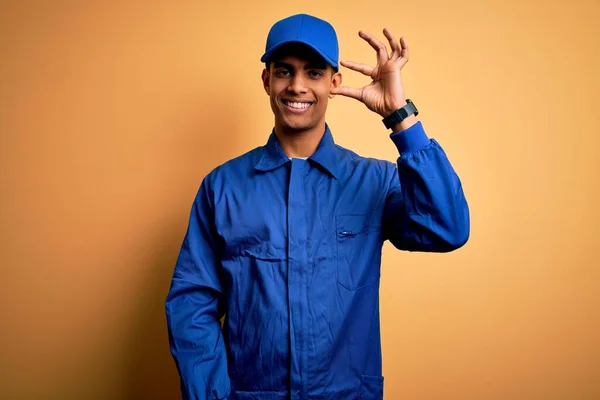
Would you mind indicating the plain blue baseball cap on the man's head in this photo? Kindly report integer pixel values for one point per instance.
(303, 28)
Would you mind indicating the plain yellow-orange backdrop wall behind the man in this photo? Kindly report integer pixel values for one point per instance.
(112, 112)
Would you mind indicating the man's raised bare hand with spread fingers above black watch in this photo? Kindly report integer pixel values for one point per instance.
(385, 94)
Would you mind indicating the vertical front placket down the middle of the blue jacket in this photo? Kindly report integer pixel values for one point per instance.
(297, 290)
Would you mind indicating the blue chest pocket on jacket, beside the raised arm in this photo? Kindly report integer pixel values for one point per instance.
(358, 241)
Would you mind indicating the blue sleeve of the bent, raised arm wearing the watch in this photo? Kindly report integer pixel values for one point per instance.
(425, 207)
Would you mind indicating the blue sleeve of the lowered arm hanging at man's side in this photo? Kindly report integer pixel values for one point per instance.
(194, 307)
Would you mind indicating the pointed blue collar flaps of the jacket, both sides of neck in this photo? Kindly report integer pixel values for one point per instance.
(273, 155)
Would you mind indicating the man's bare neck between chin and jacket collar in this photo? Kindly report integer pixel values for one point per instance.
(299, 143)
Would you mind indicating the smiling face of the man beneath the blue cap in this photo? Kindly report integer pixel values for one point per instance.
(299, 81)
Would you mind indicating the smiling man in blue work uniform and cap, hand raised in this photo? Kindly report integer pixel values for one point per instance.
(285, 241)
